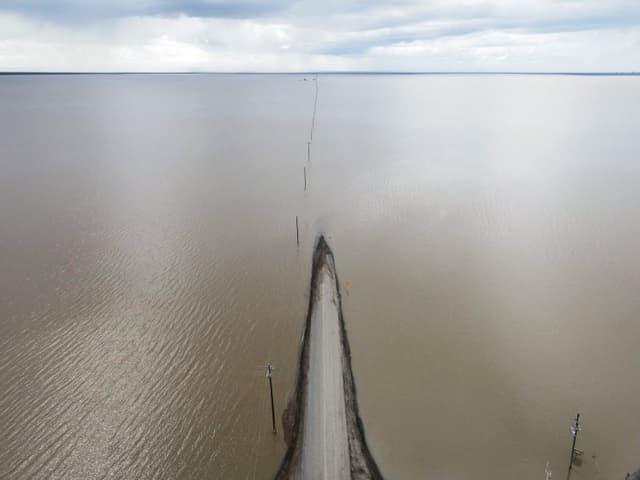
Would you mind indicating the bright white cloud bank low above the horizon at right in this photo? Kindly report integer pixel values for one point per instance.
(508, 51)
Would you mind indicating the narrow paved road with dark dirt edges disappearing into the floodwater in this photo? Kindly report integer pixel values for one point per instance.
(325, 435)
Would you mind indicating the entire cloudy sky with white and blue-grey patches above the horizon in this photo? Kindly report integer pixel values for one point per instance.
(320, 35)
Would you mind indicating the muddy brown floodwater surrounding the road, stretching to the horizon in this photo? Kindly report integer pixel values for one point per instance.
(487, 226)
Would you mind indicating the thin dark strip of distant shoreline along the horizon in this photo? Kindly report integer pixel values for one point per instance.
(584, 74)
